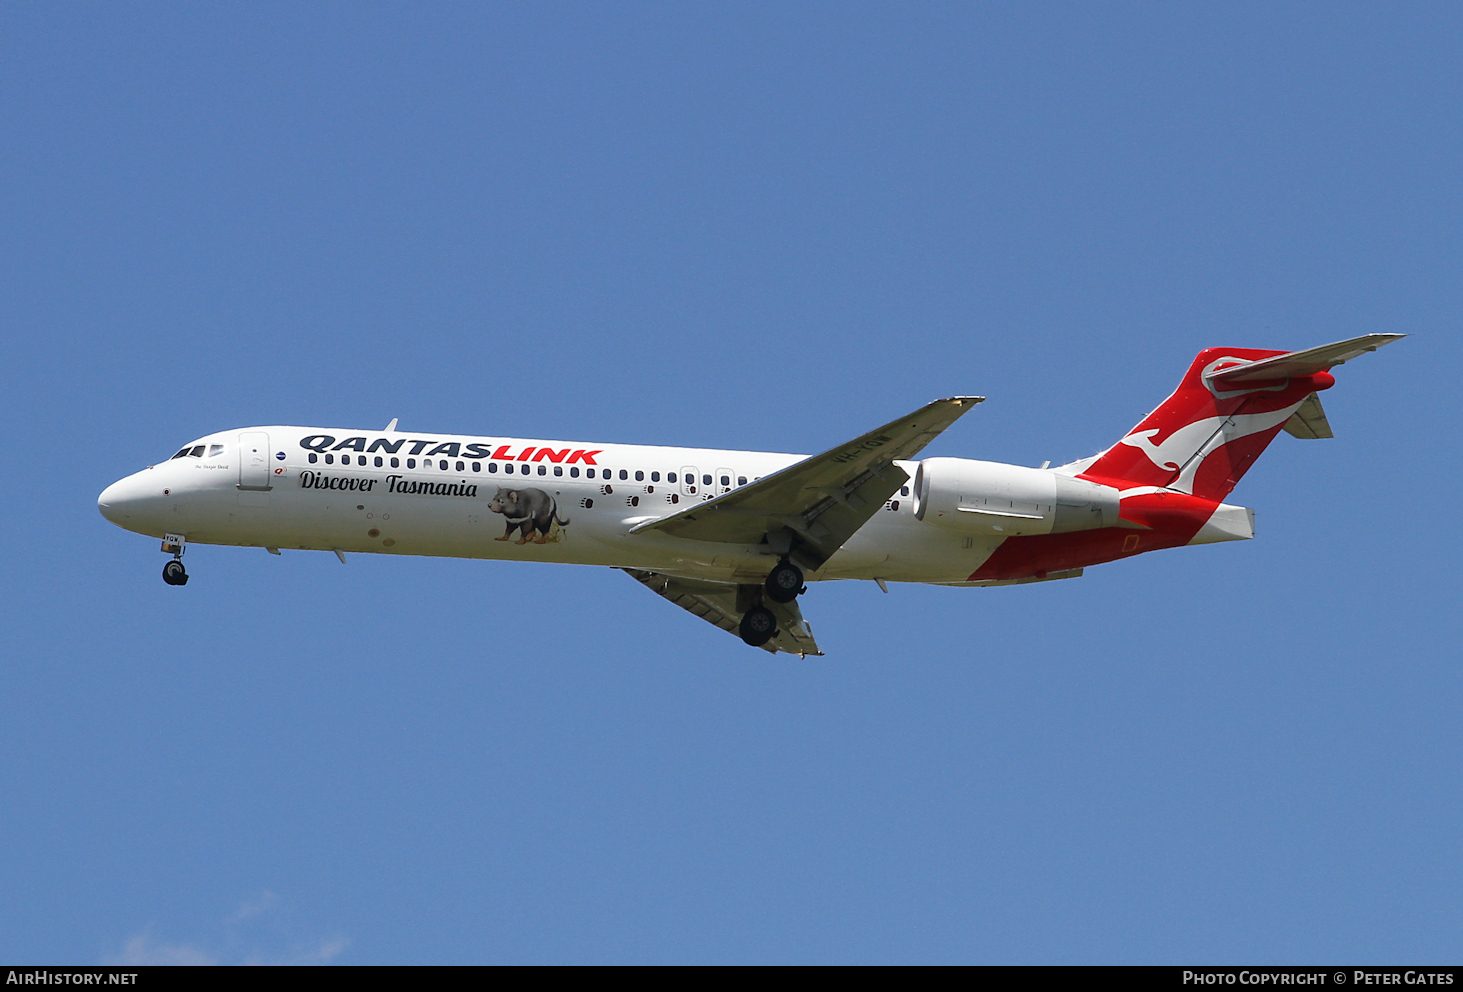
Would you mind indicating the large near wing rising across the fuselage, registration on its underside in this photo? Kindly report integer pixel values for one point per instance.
(816, 506)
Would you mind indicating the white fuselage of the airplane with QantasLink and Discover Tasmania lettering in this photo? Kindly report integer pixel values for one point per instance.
(415, 494)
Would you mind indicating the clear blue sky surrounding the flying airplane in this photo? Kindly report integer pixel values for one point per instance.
(745, 226)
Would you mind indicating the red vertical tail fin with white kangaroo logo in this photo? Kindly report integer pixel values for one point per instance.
(1206, 435)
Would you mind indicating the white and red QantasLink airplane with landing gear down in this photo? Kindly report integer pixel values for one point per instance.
(737, 536)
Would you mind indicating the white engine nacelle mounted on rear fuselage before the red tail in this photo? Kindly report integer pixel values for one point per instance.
(1010, 501)
